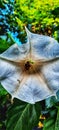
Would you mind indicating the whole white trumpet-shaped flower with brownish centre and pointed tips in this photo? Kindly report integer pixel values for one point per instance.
(30, 72)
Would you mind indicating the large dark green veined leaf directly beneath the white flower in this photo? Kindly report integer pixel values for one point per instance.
(23, 116)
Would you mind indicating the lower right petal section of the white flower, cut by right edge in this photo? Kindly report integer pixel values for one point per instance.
(51, 74)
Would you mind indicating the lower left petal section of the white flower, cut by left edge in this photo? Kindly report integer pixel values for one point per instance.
(10, 75)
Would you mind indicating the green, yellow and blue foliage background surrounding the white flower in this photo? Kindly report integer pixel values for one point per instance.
(42, 17)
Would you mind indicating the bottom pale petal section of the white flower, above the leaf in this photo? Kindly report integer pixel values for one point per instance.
(33, 90)
